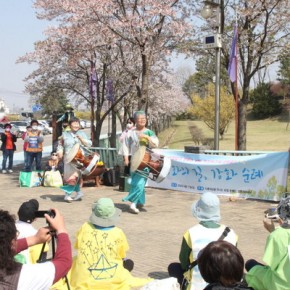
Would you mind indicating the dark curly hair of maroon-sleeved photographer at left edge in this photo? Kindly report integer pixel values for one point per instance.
(7, 234)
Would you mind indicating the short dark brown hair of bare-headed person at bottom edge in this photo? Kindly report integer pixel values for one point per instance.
(221, 262)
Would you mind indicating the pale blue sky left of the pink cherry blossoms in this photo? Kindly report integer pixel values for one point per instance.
(19, 29)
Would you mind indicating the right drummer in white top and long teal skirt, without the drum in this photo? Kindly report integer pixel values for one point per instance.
(138, 136)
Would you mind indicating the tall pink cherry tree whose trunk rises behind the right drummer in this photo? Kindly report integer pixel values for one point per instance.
(150, 27)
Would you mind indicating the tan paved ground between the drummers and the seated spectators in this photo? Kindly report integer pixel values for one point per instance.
(154, 236)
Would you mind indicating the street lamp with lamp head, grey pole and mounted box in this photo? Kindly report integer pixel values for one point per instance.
(215, 9)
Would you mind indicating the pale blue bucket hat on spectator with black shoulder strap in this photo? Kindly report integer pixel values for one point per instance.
(207, 208)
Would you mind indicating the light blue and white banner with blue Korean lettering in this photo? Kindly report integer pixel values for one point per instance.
(261, 176)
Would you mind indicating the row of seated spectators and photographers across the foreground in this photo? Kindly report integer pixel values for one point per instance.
(209, 256)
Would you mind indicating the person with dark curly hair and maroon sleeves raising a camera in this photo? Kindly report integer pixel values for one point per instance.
(14, 275)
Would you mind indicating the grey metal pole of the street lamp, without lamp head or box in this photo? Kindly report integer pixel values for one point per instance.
(217, 85)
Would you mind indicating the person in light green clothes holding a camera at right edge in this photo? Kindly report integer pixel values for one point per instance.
(274, 274)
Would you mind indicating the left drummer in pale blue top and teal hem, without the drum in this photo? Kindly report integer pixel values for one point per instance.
(72, 176)
